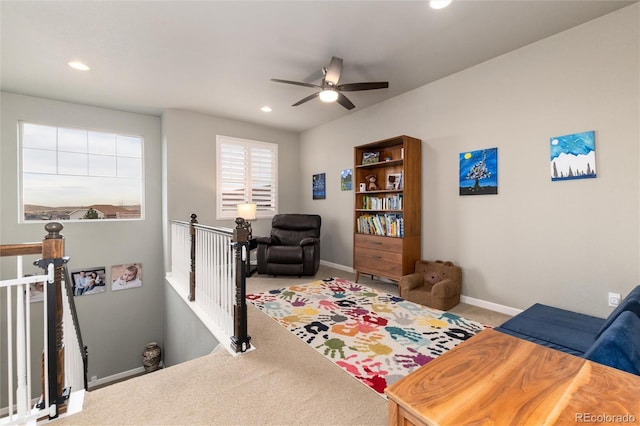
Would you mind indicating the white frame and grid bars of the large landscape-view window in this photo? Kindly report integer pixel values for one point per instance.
(57, 127)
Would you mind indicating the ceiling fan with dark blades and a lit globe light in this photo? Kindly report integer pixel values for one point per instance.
(330, 90)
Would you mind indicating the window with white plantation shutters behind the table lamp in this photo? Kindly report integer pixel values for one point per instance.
(247, 172)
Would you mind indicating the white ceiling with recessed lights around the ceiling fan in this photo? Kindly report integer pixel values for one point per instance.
(217, 57)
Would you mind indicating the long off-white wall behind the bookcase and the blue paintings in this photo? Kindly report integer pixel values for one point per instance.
(561, 243)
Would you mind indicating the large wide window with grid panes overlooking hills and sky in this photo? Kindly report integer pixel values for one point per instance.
(76, 174)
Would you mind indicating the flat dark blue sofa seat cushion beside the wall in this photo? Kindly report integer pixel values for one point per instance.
(556, 328)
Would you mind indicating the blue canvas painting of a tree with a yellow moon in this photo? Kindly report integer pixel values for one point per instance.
(479, 172)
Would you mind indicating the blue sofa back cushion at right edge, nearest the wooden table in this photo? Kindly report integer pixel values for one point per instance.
(619, 345)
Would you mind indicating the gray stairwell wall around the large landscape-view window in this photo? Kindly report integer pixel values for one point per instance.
(116, 326)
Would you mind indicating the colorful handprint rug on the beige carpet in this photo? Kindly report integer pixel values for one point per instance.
(376, 337)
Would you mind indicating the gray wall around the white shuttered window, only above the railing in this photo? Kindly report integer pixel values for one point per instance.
(190, 158)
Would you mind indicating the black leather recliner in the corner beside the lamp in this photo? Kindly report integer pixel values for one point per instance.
(293, 247)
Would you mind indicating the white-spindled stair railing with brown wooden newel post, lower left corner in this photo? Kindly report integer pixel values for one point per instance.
(63, 375)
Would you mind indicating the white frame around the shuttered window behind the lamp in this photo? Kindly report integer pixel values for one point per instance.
(262, 212)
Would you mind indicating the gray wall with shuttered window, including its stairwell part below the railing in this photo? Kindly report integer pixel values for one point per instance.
(189, 144)
